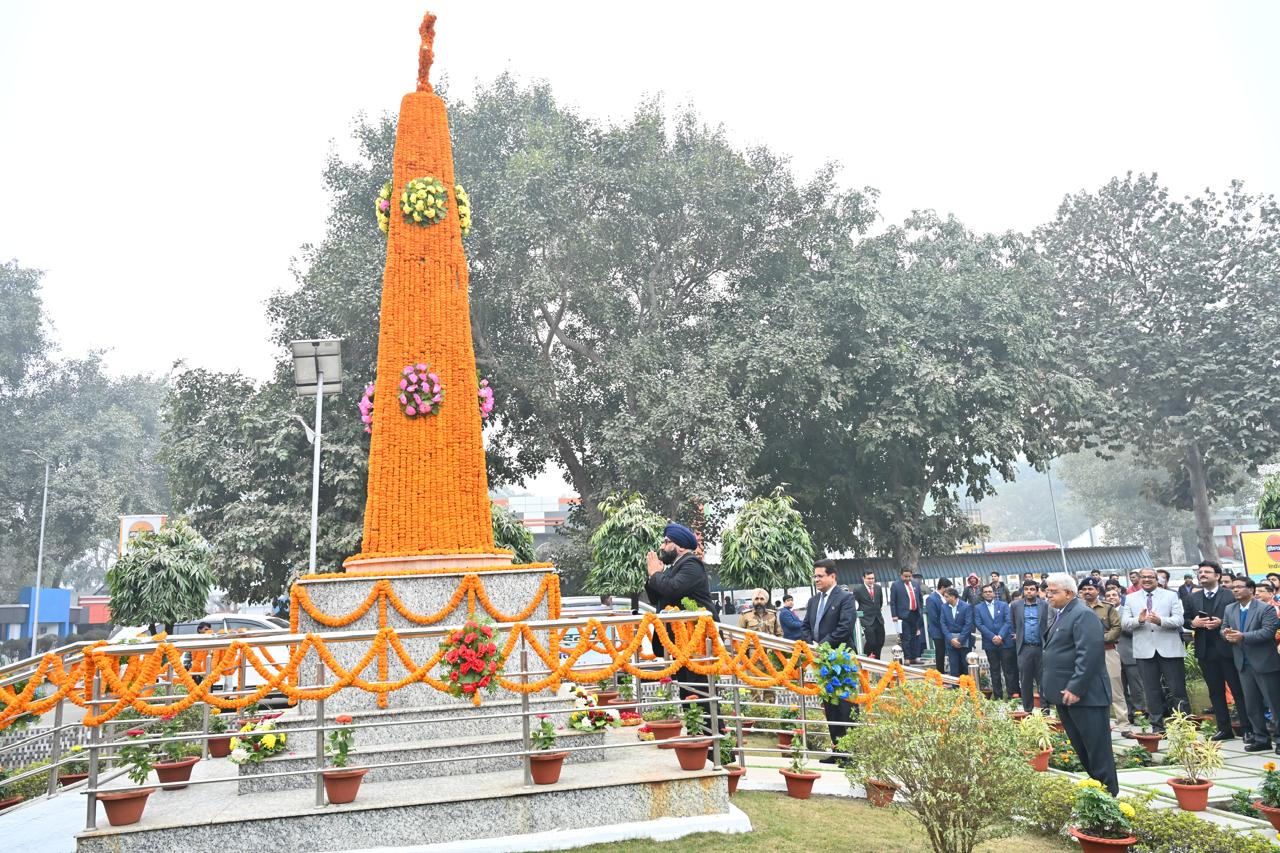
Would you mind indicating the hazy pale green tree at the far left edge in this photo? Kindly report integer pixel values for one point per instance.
(99, 432)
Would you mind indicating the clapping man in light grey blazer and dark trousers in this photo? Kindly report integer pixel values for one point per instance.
(1155, 617)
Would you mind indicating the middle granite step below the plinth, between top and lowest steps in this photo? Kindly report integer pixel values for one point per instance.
(476, 755)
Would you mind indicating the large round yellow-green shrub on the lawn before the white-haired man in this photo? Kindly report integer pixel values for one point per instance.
(961, 772)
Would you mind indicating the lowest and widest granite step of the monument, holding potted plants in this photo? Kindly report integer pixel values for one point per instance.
(637, 784)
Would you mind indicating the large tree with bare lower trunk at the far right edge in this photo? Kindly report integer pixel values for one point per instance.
(1167, 303)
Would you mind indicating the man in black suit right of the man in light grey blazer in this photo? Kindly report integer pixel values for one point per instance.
(1205, 610)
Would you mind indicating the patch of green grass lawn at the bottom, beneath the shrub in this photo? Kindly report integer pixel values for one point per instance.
(822, 825)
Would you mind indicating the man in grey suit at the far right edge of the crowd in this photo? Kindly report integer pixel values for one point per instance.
(1250, 627)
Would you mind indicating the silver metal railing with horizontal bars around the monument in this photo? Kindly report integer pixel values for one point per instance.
(103, 760)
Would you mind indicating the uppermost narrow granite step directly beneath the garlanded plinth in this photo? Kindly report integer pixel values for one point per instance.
(431, 723)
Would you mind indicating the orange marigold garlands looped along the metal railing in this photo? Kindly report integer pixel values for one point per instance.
(685, 644)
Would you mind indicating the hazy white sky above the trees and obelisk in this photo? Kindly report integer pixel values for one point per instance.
(162, 162)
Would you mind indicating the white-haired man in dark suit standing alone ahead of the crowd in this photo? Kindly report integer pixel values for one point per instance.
(1076, 679)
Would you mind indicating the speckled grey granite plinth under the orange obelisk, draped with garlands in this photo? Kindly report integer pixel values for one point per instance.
(510, 594)
